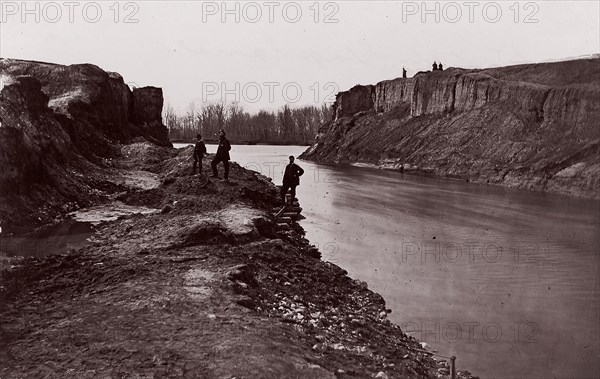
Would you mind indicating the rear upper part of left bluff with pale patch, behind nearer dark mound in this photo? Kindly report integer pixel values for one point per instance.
(91, 103)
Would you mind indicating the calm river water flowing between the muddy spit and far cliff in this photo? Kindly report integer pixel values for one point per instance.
(506, 280)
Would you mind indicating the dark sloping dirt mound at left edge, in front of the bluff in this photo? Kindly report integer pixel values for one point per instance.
(42, 175)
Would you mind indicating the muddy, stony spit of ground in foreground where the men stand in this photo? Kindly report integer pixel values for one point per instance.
(205, 287)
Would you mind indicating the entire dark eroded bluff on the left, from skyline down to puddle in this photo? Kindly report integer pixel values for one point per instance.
(60, 126)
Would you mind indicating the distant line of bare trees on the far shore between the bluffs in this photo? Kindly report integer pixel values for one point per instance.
(287, 126)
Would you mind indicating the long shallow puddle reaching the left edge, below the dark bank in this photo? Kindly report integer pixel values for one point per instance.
(71, 234)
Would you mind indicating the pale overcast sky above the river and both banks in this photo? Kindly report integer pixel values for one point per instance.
(317, 47)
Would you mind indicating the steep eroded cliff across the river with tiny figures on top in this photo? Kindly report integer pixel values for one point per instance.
(529, 126)
